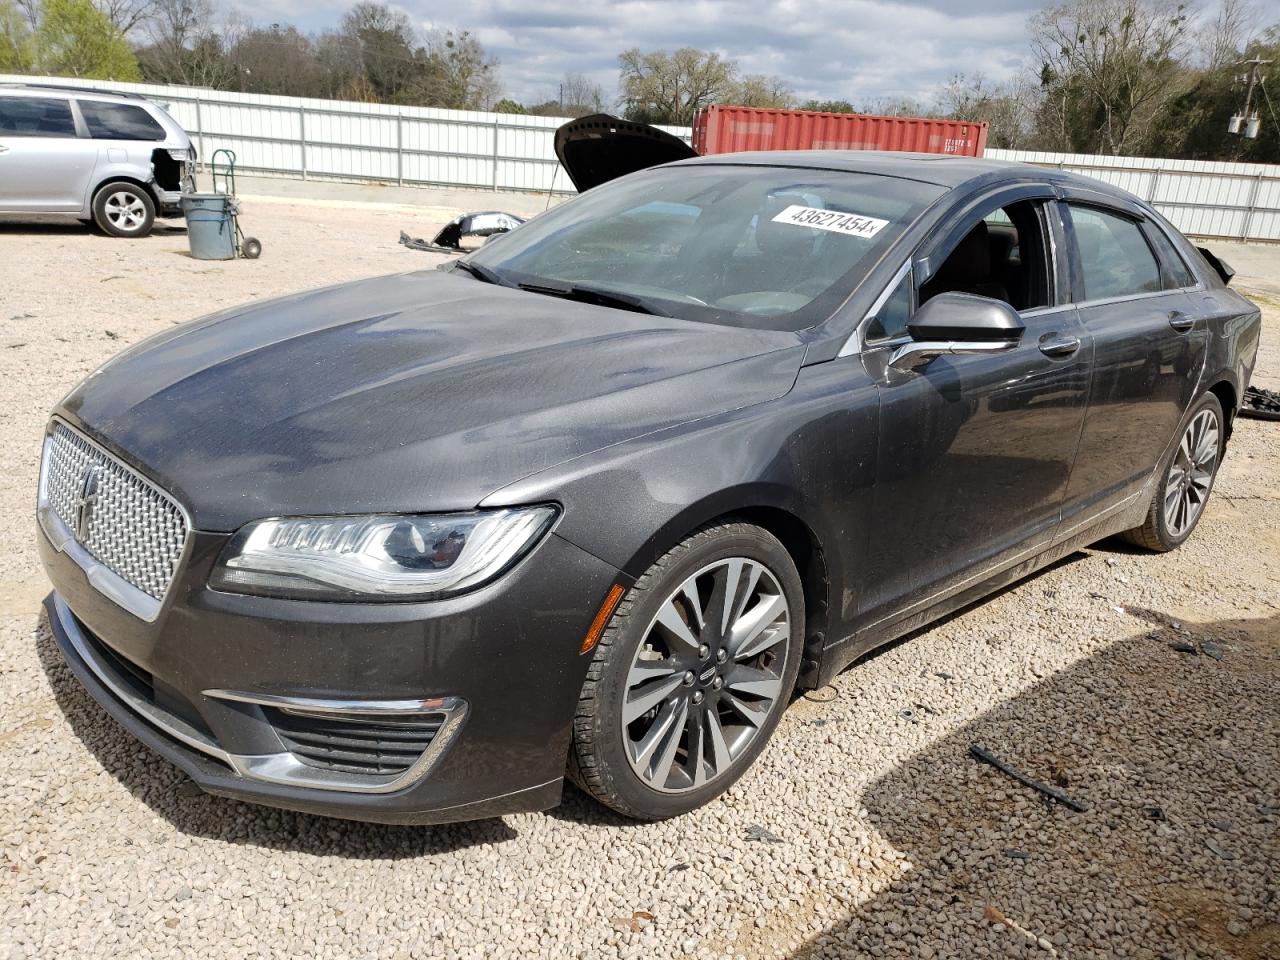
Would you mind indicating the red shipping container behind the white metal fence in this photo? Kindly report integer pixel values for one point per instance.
(729, 130)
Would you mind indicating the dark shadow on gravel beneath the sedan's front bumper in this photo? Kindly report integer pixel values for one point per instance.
(172, 796)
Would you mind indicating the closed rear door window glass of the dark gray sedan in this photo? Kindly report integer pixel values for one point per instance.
(1116, 258)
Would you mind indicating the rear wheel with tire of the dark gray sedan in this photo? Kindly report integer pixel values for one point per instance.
(1165, 529)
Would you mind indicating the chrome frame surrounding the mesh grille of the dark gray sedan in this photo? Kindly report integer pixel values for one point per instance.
(102, 578)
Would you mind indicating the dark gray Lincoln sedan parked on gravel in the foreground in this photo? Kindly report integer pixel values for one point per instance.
(602, 496)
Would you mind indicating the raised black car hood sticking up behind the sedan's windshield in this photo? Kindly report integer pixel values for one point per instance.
(598, 149)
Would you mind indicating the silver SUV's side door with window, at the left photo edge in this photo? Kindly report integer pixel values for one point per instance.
(44, 166)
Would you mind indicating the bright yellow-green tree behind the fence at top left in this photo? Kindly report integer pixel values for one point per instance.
(77, 40)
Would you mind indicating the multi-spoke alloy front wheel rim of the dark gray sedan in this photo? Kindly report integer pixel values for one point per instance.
(707, 675)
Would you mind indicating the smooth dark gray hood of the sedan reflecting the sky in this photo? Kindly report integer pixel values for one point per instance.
(417, 392)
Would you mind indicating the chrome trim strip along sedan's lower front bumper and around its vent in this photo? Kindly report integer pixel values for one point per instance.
(281, 767)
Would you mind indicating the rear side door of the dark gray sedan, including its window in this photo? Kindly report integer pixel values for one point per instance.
(1150, 342)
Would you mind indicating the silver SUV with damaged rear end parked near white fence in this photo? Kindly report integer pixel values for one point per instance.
(116, 159)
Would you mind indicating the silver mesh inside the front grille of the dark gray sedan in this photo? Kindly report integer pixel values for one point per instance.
(136, 531)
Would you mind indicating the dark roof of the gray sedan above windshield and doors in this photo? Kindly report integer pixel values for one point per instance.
(940, 170)
